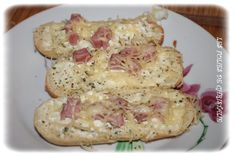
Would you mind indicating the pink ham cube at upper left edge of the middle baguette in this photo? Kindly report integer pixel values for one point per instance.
(81, 56)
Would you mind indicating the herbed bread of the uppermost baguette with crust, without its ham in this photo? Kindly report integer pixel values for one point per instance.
(52, 40)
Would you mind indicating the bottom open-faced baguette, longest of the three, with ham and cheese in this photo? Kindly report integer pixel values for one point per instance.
(145, 114)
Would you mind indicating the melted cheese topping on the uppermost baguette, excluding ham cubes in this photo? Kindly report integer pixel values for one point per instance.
(124, 32)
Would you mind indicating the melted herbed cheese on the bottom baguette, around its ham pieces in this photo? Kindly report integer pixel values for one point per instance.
(170, 122)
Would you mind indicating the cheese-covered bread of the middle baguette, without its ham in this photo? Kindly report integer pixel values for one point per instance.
(66, 77)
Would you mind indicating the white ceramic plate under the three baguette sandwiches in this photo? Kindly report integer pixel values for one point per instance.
(26, 74)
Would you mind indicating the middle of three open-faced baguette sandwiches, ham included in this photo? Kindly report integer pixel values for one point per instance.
(136, 66)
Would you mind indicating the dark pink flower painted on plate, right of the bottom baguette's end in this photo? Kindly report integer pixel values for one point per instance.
(214, 104)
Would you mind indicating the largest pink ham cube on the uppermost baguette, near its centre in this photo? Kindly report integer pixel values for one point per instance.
(101, 37)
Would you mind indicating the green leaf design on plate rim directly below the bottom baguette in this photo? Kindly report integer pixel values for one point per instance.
(129, 146)
